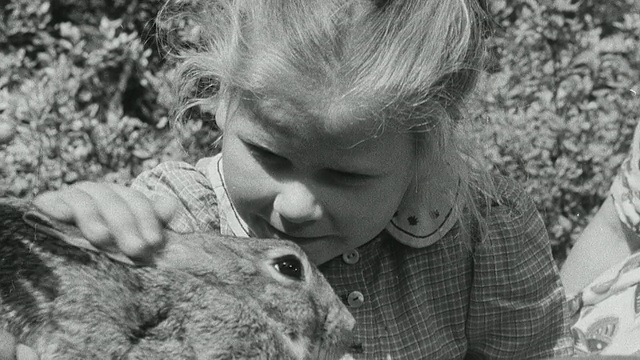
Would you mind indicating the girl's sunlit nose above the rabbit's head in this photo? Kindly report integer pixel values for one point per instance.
(297, 204)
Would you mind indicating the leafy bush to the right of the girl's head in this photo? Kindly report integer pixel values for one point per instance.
(559, 112)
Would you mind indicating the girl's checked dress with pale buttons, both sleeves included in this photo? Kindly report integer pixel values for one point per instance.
(498, 299)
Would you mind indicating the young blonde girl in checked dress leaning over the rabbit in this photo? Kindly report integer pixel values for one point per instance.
(340, 123)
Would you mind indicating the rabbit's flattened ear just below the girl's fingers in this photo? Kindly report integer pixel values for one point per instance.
(67, 233)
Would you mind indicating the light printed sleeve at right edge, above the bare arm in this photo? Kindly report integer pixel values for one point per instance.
(625, 189)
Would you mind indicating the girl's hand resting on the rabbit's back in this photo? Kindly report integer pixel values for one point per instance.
(112, 217)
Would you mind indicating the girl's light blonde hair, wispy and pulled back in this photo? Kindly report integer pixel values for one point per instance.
(409, 64)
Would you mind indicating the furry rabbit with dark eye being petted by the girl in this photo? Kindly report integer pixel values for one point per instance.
(204, 296)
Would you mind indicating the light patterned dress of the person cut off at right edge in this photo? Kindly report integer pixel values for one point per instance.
(607, 312)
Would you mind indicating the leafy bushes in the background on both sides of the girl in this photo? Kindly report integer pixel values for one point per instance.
(87, 89)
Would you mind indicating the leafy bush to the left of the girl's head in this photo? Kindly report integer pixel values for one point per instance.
(88, 94)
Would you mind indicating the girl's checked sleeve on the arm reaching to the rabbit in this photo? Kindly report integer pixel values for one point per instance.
(198, 206)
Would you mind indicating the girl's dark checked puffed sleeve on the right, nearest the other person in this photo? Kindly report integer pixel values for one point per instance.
(517, 304)
